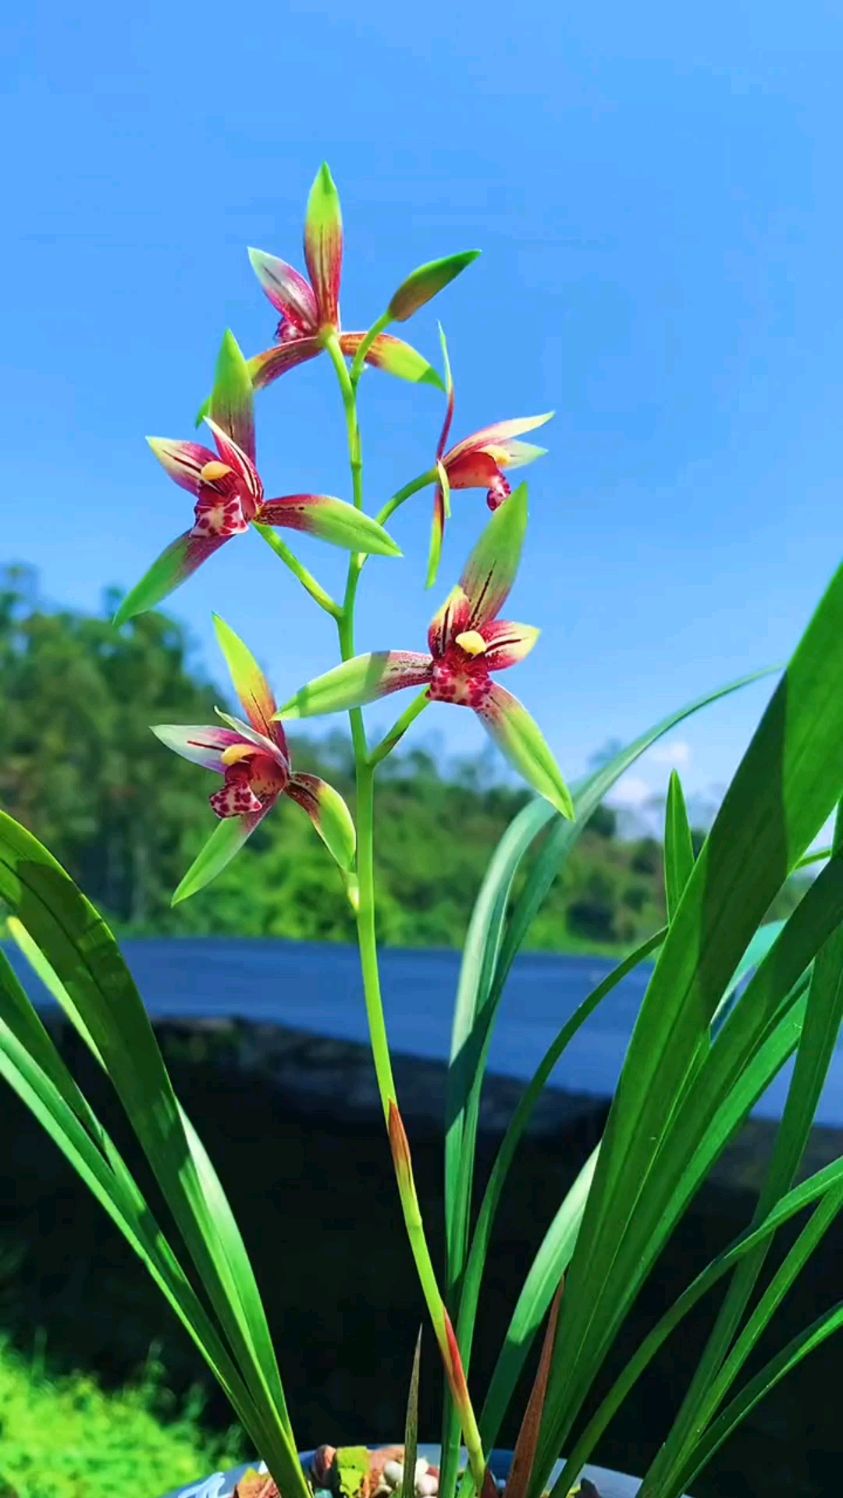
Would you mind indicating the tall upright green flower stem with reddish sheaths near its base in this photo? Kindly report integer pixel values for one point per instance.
(368, 936)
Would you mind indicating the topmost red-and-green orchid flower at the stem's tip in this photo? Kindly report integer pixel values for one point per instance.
(311, 308)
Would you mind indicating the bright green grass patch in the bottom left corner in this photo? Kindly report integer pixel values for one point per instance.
(68, 1439)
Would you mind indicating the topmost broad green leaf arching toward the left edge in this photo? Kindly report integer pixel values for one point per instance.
(83, 953)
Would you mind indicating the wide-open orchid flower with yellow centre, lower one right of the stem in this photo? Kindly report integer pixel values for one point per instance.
(468, 643)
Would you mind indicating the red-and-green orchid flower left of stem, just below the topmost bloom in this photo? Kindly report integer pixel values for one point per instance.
(230, 494)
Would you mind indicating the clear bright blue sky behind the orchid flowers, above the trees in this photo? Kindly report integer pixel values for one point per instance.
(657, 192)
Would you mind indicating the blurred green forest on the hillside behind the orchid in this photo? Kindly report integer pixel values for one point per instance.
(82, 769)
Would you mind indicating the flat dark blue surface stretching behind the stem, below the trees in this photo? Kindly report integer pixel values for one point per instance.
(317, 988)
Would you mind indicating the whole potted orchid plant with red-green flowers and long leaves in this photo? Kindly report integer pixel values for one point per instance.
(731, 995)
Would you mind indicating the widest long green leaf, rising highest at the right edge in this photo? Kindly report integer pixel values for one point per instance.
(782, 795)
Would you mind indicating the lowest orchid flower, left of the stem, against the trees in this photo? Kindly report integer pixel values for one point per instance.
(255, 763)
